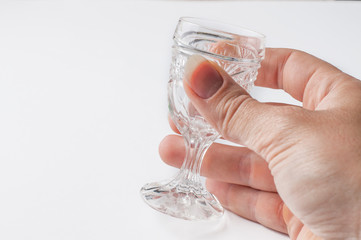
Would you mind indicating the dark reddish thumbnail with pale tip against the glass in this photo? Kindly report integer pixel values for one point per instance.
(202, 77)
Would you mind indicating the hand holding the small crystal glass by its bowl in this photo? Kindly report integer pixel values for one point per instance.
(300, 172)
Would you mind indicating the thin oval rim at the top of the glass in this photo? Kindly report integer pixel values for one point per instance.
(199, 21)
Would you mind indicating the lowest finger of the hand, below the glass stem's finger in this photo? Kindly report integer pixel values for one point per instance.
(265, 208)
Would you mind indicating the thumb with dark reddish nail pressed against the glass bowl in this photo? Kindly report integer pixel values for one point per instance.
(230, 109)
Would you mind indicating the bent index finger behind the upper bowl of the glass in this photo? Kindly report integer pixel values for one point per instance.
(303, 76)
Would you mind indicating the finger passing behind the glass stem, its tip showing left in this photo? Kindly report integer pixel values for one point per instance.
(224, 163)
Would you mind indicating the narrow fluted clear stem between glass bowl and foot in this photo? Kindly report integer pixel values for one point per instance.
(195, 151)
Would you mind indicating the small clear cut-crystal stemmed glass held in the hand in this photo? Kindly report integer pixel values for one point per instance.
(239, 51)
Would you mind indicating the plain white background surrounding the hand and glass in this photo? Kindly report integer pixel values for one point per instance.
(83, 108)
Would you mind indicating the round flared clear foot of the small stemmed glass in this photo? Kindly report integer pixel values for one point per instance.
(182, 199)
